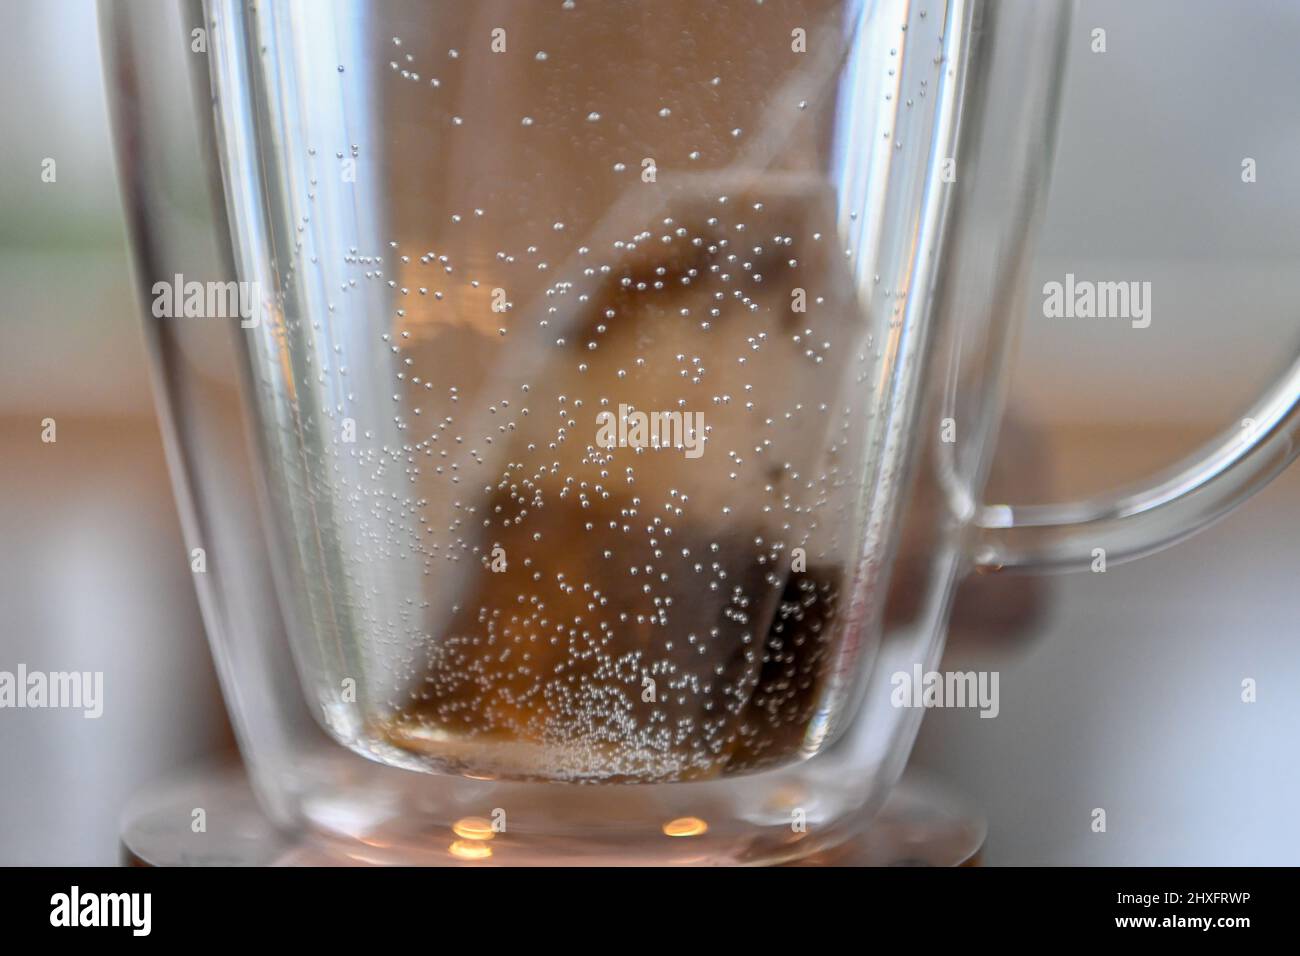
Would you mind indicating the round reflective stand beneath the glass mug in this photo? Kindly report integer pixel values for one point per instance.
(924, 823)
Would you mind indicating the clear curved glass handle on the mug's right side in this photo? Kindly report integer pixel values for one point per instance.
(1141, 520)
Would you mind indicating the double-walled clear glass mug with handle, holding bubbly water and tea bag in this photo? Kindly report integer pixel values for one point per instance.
(551, 388)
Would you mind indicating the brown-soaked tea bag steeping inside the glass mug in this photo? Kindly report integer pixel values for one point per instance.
(636, 613)
